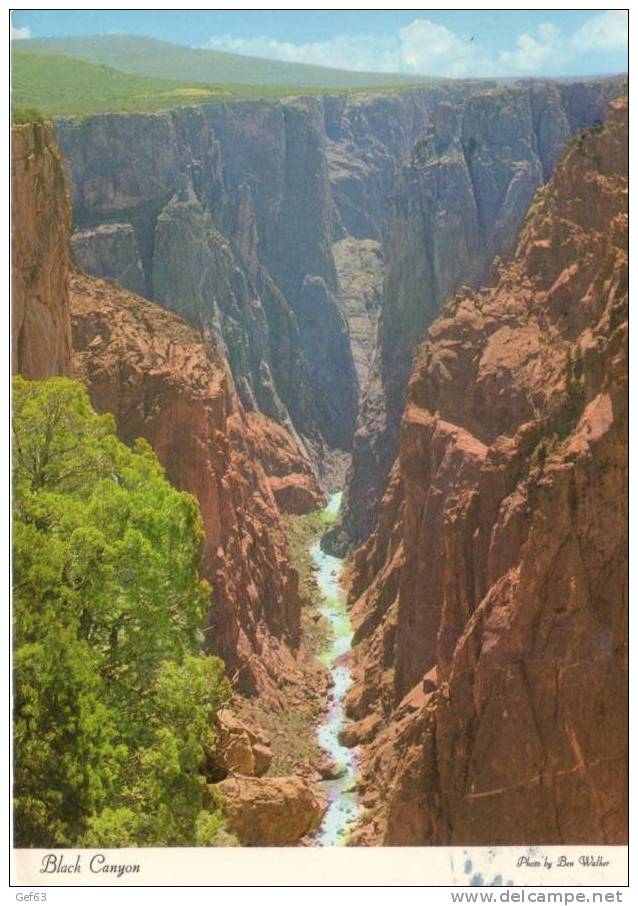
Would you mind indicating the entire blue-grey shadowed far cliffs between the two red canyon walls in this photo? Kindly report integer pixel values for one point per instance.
(232, 211)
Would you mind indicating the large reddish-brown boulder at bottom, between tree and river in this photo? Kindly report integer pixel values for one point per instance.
(270, 811)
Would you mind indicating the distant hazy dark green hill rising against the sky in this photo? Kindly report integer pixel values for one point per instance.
(160, 59)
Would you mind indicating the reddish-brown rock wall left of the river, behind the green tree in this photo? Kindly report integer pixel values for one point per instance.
(169, 383)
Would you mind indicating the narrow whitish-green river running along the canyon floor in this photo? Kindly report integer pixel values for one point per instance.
(343, 806)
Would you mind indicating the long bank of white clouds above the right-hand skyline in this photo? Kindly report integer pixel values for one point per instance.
(424, 48)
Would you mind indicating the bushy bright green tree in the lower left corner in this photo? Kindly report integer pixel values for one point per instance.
(113, 695)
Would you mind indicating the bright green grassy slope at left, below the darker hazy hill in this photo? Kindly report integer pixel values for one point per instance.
(58, 85)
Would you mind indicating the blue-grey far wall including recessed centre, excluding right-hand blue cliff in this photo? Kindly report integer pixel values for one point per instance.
(228, 213)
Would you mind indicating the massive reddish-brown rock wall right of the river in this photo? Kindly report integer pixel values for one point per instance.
(490, 601)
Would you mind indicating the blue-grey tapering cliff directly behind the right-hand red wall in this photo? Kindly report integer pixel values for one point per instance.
(459, 202)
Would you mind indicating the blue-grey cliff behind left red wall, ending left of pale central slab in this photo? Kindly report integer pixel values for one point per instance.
(218, 200)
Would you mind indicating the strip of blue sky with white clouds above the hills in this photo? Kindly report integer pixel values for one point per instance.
(451, 43)
